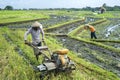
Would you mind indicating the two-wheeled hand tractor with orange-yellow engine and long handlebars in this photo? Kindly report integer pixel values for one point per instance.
(55, 62)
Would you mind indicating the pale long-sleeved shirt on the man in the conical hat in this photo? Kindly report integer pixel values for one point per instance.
(35, 35)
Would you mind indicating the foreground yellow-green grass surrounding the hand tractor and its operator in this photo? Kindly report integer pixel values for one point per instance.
(15, 67)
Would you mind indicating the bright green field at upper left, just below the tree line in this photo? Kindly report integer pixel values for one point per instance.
(17, 16)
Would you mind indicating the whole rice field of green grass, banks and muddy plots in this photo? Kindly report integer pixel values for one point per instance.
(94, 60)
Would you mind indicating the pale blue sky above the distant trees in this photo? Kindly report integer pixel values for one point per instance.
(20, 4)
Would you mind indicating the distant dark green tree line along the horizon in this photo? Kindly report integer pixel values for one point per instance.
(108, 8)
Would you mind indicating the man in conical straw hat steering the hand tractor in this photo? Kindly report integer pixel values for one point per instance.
(35, 30)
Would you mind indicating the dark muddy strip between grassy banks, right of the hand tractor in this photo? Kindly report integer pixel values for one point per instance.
(104, 58)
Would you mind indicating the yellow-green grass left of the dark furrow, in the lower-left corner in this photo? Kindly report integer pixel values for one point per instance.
(12, 65)
